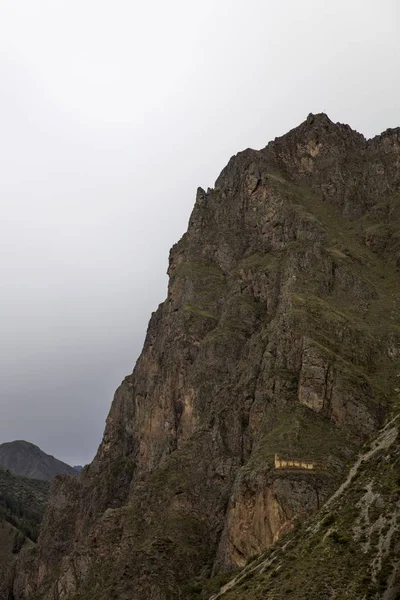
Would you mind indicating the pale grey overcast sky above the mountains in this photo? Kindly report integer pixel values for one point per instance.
(112, 112)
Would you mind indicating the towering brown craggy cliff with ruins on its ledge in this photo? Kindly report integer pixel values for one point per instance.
(279, 335)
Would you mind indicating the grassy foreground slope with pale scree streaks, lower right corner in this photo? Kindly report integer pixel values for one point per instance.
(349, 550)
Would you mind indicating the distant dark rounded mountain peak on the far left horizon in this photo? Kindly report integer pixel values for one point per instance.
(26, 459)
